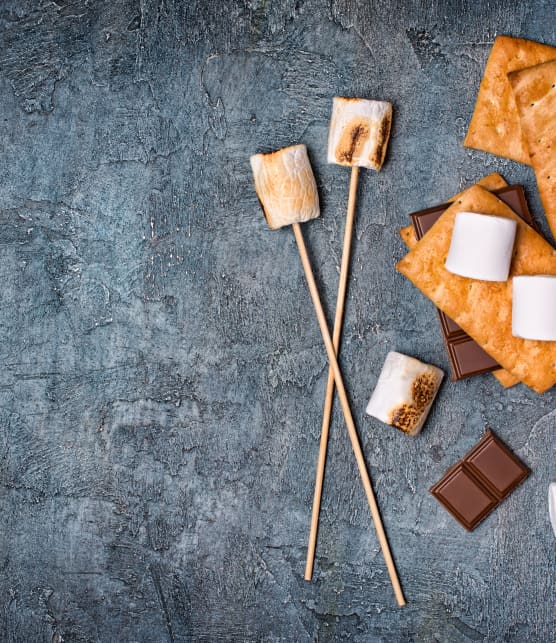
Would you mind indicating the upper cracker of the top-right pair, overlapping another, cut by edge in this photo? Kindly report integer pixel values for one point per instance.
(534, 91)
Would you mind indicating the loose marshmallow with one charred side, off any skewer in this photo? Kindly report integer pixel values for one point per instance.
(404, 392)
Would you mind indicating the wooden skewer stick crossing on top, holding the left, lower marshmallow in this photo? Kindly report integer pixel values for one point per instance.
(347, 414)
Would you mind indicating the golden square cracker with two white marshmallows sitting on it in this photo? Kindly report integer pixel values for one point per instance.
(484, 308)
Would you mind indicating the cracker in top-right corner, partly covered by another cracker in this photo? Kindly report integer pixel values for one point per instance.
(495, 125)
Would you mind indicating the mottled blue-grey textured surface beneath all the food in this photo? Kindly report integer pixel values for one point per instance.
(162, 371)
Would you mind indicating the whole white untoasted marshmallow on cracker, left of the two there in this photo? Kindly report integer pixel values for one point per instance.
(481, 246)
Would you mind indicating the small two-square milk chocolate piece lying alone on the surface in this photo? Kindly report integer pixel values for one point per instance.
(480, 481)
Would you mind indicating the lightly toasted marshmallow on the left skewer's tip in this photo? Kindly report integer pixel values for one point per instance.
(286, 186)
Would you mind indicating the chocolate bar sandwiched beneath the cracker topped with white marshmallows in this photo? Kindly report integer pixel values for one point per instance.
(467, 358)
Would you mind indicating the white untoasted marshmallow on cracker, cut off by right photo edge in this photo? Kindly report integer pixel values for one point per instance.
(534, 307)
